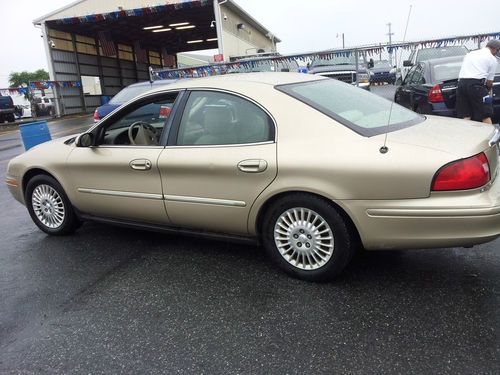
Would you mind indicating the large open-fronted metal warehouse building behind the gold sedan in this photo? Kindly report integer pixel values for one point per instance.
(106, 45)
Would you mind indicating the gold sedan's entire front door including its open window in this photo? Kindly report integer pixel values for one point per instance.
(119, 177)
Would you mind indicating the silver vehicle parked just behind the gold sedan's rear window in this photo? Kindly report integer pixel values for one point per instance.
(343, 68)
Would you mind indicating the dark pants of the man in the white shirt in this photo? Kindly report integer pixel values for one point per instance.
(472, 100)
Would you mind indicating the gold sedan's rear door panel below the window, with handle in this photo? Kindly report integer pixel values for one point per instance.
(205, 188)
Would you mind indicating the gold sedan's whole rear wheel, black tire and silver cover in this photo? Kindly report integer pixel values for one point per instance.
(307, 237)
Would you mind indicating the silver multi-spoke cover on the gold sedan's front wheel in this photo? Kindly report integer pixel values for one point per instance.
(48, 206)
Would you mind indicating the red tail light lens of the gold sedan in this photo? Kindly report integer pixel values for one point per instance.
(464, 174)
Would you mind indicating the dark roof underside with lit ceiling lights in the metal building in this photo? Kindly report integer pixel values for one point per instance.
(179, 26)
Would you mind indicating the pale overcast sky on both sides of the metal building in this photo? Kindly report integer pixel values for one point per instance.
(303, 26)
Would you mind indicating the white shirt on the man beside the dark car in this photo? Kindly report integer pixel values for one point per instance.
(479, 64)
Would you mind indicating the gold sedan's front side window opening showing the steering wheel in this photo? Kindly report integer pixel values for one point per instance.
(142, 124)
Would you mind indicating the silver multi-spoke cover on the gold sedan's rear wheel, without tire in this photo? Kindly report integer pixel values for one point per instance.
(303, 238)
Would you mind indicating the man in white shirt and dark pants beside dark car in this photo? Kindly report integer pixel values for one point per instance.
(474, 99)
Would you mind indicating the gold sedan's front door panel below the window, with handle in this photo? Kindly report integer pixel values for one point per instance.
(105, 183)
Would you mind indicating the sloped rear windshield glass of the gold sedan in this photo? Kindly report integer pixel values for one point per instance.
(361, 111)
